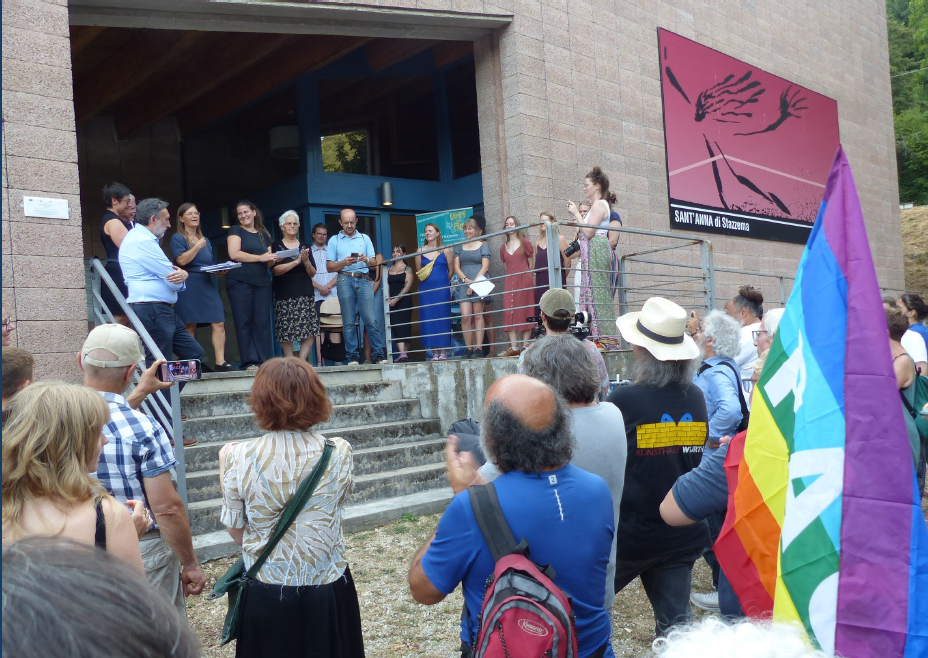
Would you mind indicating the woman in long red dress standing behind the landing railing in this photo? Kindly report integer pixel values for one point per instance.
(518, 294)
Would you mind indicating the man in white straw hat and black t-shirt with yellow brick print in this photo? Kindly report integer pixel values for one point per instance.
(665, 427)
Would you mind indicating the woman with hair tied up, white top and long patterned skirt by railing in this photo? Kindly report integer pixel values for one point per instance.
(595, 286)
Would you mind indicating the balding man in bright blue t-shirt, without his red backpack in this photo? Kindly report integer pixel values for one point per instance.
(563, 512)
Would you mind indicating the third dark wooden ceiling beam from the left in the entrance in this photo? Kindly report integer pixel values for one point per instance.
(307, 55)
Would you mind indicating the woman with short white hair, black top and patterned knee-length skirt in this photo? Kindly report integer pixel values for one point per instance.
(294, 300)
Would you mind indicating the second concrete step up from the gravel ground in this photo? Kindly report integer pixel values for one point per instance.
(204, 514)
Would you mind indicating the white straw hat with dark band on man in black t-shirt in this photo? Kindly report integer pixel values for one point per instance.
(660, 329)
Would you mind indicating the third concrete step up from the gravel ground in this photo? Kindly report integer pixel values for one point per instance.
(204, 484)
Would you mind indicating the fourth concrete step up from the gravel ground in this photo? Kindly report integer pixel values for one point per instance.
(205, 455)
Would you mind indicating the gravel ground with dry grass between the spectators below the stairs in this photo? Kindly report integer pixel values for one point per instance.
(396, 626)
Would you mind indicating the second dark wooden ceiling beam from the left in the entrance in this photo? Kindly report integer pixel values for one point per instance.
(203, 74)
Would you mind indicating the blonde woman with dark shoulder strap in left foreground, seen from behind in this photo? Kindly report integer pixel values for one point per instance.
(52, 441)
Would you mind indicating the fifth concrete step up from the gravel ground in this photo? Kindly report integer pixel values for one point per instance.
(242, 426)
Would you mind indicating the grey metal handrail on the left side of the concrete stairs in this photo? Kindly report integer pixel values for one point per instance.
(157, 407)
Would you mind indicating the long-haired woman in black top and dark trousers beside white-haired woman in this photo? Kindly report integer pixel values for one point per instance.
(249, 286)
